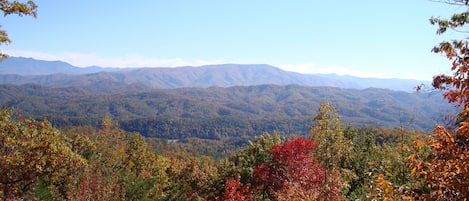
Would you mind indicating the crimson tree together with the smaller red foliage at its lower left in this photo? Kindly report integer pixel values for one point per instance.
(292, 174)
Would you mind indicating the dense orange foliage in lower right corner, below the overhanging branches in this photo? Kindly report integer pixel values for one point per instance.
(445, 170)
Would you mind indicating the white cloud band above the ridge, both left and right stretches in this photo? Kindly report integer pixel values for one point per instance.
(85, 60)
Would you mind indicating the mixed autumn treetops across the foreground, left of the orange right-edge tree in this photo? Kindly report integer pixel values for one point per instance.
(85, 163)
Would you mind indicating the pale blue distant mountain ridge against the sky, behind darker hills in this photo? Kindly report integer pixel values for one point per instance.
(18, 70)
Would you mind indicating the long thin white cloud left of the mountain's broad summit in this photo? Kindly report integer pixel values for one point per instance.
(85, 60)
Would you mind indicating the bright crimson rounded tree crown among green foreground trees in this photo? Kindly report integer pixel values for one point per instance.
(292, 168)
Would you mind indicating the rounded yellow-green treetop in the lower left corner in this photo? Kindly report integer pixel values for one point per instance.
(29, 150)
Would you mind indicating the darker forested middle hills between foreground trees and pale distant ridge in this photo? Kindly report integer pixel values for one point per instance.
(241, 110)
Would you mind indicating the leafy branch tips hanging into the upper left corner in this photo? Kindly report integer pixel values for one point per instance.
(17, 8)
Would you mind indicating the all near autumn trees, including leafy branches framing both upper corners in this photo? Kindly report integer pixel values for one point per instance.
(333, 162)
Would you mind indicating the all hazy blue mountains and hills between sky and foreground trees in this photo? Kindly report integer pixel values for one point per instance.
(210, 101)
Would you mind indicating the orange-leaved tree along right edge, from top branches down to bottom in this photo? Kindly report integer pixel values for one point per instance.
(446, 169)
